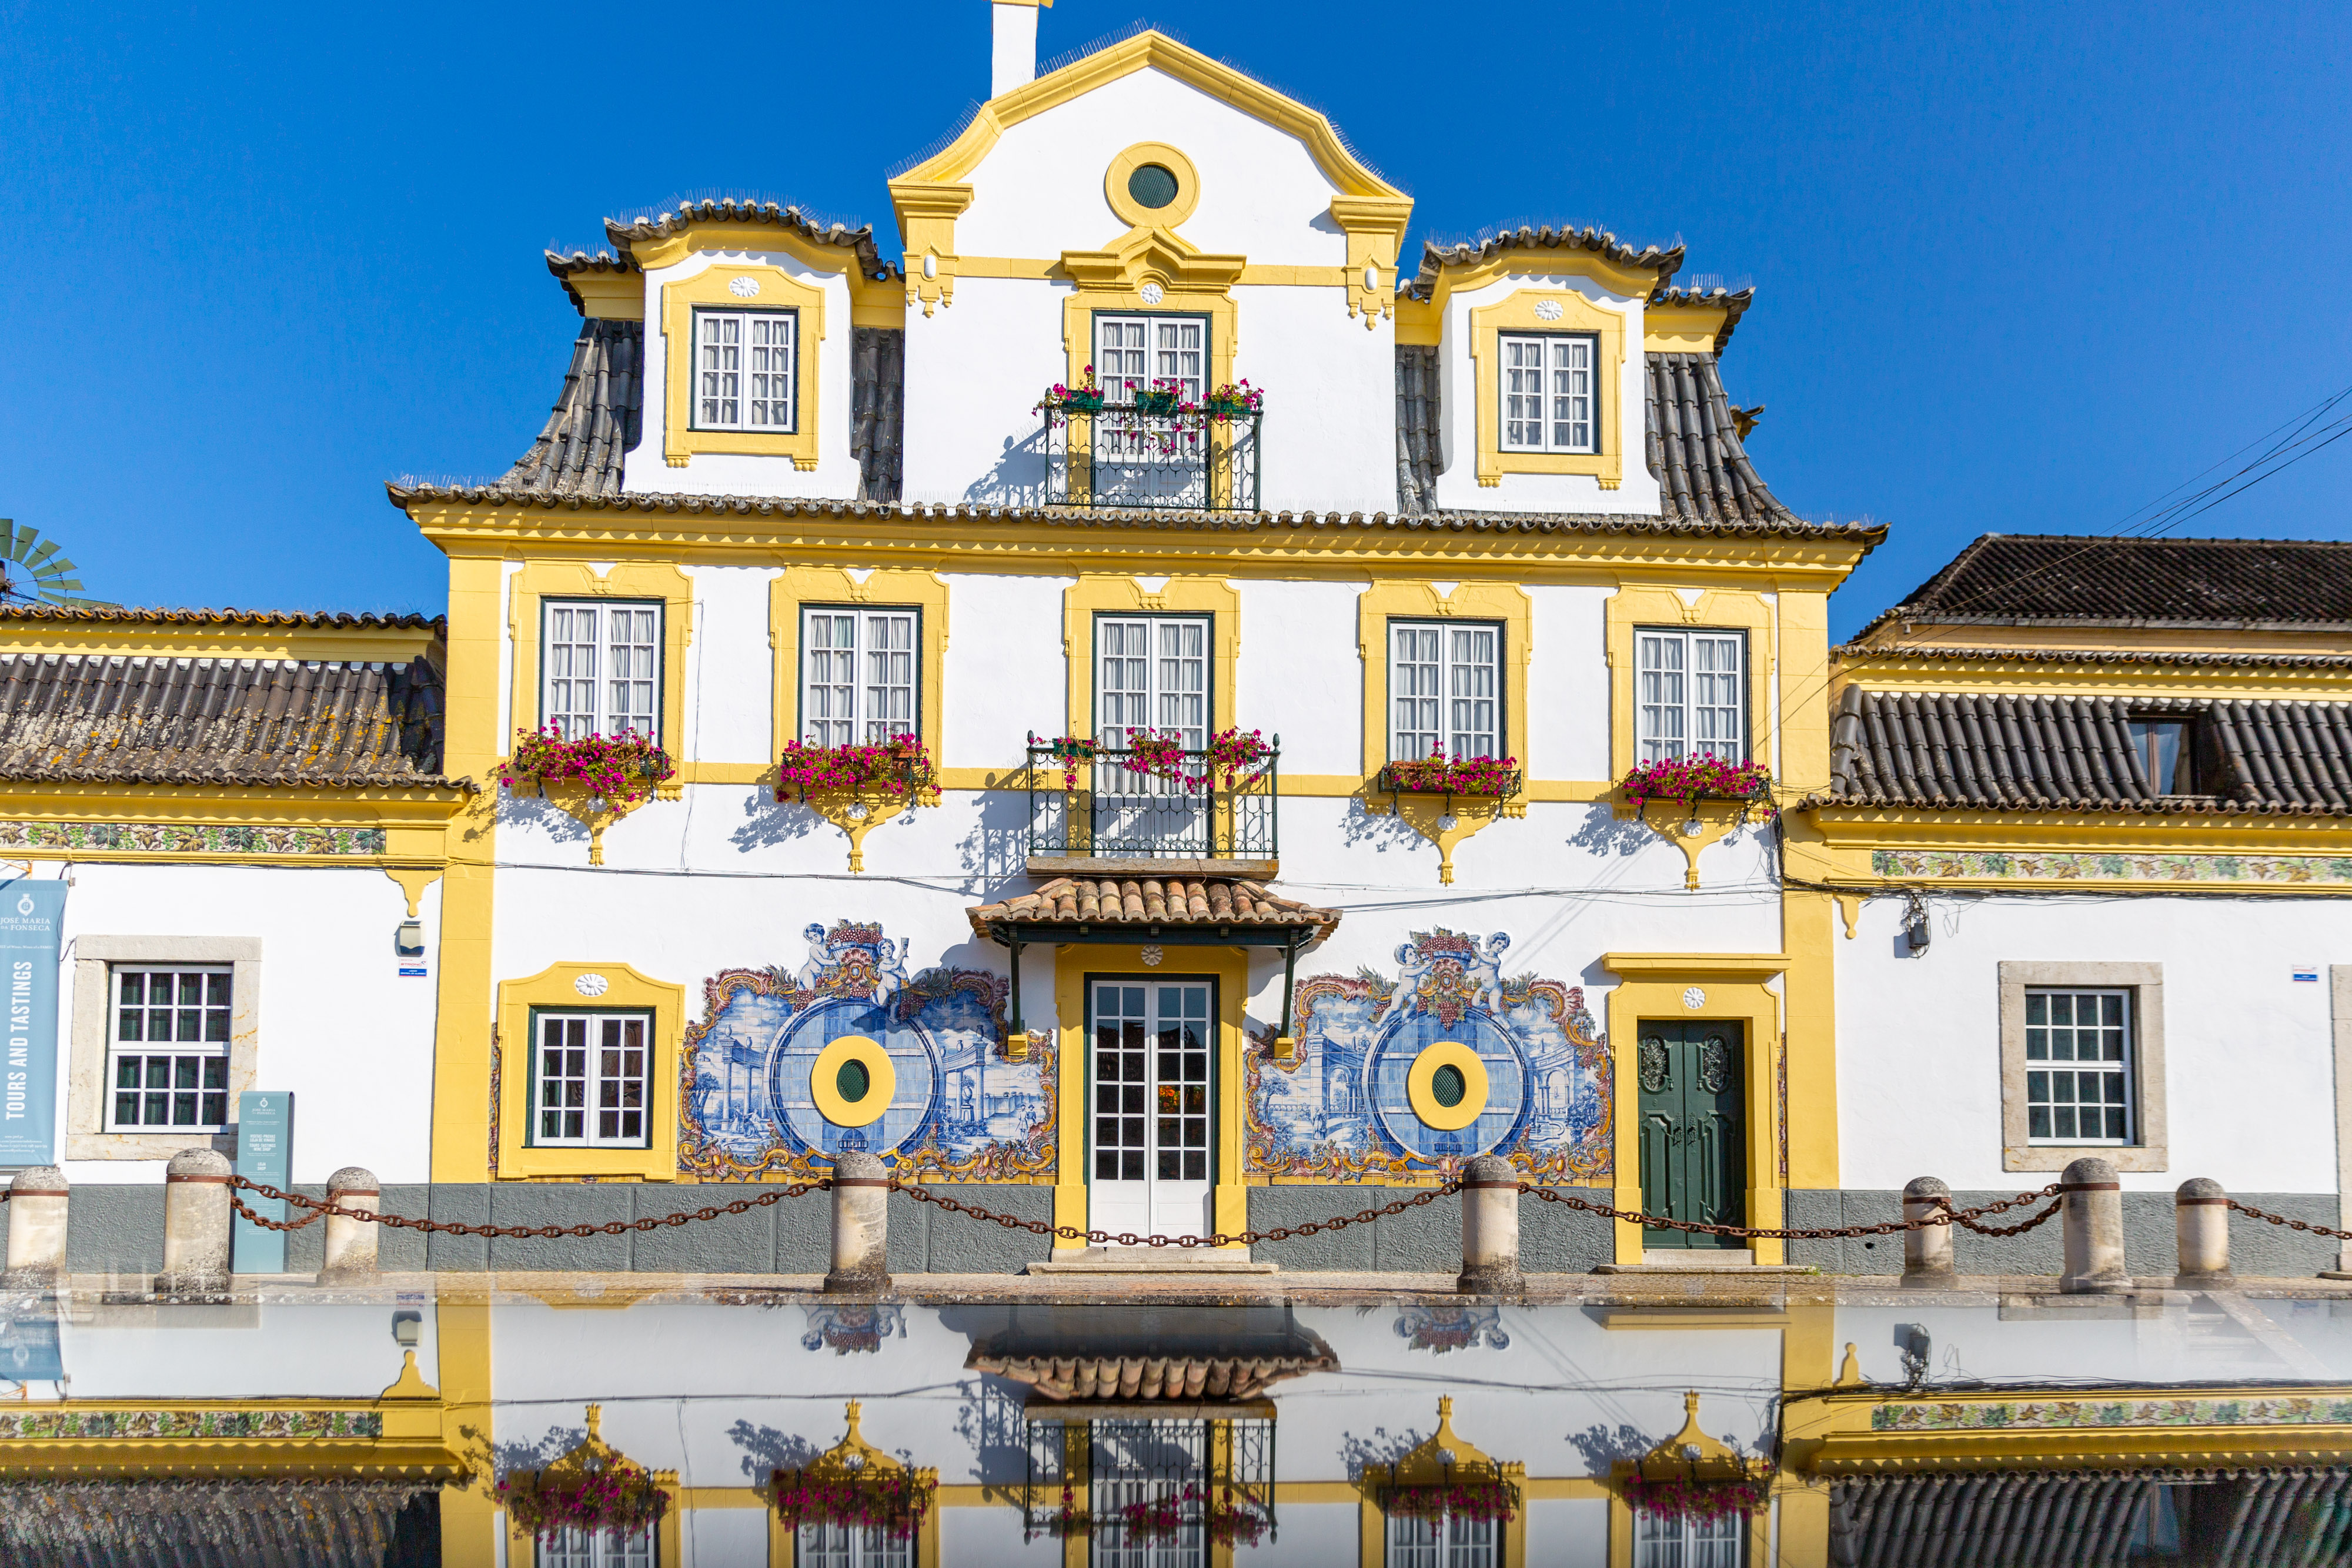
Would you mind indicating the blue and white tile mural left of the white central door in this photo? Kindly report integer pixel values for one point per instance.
(958, 1111)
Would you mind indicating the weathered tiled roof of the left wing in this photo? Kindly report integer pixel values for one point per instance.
(112, 718)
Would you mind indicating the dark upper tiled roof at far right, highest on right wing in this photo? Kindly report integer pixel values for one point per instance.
(2137, 582)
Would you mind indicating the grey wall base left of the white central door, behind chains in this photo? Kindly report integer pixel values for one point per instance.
(119, 1231)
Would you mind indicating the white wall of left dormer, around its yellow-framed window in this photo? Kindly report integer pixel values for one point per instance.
(723, 474)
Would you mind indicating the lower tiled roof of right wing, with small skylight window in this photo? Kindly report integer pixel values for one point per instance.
(2071, 753)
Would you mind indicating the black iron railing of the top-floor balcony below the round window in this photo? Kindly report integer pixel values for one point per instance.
(1151, 457)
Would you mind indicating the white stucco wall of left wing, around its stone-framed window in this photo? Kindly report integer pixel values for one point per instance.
(340, 1028)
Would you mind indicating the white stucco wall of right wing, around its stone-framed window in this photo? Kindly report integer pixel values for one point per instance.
(2250, 1061)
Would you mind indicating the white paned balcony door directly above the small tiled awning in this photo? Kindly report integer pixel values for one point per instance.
(1151, 674)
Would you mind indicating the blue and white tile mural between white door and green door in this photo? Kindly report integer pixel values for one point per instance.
(1342, 1111)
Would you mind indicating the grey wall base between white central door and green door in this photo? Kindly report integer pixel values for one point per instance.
(1429, 1240)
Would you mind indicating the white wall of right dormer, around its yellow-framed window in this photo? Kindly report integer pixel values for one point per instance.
(1624, 408)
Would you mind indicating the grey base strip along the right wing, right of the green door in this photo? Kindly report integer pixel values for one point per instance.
(2151, 1242)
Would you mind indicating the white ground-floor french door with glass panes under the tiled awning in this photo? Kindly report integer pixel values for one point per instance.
(1154, 1132)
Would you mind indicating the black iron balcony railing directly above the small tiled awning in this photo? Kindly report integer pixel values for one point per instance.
(1104, 808)
